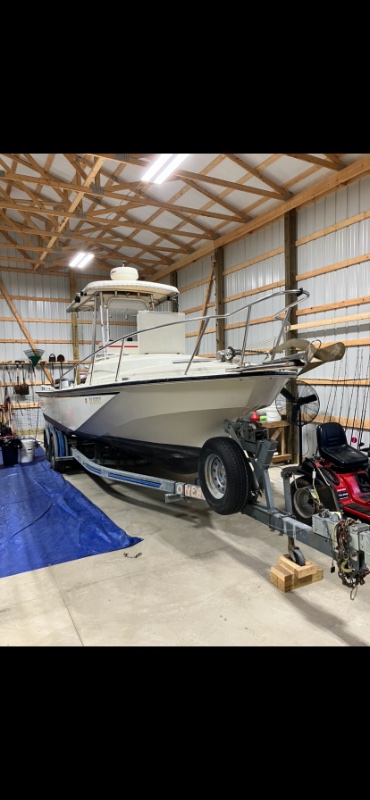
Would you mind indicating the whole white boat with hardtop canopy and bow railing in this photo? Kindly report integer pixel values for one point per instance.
(143, 394)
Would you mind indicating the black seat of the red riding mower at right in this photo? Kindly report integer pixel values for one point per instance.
(333, 445)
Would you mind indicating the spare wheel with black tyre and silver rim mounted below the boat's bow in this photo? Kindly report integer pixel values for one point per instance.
(223, 475)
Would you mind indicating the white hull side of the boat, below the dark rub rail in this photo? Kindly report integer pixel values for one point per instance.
(179, 413)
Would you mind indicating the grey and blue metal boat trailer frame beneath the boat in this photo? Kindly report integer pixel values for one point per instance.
(345, 540)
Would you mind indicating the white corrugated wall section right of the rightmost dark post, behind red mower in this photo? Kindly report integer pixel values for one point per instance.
(344, 244)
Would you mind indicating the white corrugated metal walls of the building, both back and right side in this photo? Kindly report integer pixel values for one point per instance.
(332, 264)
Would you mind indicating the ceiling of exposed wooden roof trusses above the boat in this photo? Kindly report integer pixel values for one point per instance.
(108, 211)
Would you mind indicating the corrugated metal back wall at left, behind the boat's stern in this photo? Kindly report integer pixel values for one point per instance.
(40, 300)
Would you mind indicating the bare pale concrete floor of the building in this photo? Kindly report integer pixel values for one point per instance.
(197, 579)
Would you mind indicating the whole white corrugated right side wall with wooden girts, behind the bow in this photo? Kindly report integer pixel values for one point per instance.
(333, 244)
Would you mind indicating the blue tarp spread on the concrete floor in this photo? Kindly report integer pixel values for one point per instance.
(44, 520)
